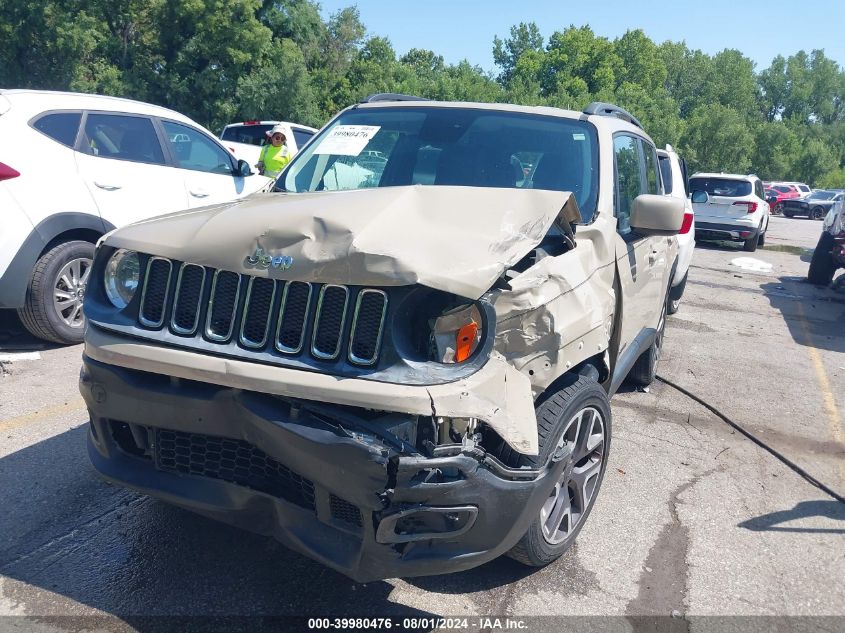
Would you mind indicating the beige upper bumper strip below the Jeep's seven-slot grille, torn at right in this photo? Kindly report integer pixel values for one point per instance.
(497, 394)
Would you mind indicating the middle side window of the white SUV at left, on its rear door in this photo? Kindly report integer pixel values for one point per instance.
(122, 137)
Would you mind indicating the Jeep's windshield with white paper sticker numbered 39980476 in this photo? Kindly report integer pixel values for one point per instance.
(389, 147)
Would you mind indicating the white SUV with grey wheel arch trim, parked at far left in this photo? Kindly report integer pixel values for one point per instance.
(75, 166)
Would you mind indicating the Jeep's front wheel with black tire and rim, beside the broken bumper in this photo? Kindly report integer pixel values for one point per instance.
(577, 415)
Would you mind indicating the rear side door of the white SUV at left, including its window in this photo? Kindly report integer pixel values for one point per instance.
(120, 158)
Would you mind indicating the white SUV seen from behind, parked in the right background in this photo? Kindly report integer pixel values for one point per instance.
(730, 207)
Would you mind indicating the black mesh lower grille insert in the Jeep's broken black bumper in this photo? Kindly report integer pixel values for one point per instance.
(231, 460)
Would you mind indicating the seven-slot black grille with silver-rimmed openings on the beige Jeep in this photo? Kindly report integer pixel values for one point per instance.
(290, 318)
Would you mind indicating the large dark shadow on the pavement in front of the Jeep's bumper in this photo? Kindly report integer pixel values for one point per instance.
(71, 540)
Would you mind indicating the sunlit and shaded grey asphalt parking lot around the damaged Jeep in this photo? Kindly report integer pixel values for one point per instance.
(693, 518)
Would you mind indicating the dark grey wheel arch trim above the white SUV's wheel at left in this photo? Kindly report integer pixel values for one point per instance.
(15, 280)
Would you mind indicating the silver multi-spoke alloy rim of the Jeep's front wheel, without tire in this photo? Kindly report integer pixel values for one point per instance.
(571, 497)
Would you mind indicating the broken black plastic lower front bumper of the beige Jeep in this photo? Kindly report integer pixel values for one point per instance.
(354, 502)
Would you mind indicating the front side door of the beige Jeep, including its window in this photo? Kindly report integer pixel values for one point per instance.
(640, 260)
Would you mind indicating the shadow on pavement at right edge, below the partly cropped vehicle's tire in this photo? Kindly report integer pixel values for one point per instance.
(813, 315)
